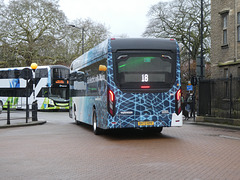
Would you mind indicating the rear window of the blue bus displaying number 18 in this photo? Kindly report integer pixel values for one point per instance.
(136, 69)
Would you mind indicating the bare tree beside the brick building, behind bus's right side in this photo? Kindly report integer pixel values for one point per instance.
(181, 19)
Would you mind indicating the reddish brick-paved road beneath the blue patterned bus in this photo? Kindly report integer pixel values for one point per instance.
(60, 149)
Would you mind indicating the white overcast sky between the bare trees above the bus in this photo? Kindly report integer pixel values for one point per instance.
(128, 17)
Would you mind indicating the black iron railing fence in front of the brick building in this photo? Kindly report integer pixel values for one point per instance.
(220, 97)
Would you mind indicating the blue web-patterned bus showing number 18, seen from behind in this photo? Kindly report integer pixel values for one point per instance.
(127, 83)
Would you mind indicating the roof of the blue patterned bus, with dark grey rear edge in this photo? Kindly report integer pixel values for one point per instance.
(101, 50)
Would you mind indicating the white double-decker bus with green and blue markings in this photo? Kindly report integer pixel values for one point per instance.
(51, 87)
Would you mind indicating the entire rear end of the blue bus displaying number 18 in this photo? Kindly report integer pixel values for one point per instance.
(144, 86)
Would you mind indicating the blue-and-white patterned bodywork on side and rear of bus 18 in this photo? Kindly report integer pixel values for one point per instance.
(131, 108)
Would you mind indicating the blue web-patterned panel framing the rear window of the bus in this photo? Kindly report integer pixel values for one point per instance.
(142, 104)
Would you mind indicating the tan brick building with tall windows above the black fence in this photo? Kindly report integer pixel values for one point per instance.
(225, 38)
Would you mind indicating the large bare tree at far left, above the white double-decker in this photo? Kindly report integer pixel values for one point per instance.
(31, 27)
